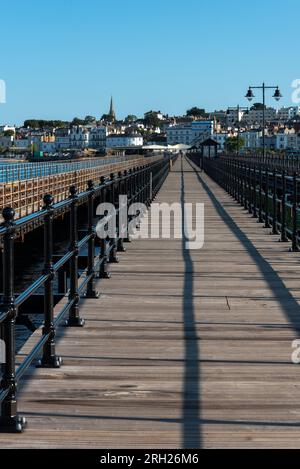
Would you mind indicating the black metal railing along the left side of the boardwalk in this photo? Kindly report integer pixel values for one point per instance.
(140, 185)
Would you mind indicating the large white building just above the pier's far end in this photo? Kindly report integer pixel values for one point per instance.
(188, 134)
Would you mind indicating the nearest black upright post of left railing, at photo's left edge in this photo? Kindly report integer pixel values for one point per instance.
(10, 421)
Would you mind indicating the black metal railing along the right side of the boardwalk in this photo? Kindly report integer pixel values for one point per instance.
(271, 196)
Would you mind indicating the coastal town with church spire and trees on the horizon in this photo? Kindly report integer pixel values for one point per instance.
(234, 128)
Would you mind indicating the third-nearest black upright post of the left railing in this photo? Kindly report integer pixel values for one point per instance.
(74, 317)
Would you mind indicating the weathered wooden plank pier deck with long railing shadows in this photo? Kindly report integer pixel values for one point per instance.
(185, 349)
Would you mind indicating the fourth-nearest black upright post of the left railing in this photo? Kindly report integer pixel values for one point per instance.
(91, 289)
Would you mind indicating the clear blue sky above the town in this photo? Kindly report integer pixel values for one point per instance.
(62, 59)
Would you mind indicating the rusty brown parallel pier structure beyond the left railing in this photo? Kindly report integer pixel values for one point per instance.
(24, 190)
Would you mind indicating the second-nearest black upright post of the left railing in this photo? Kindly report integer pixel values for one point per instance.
(49, 358)
